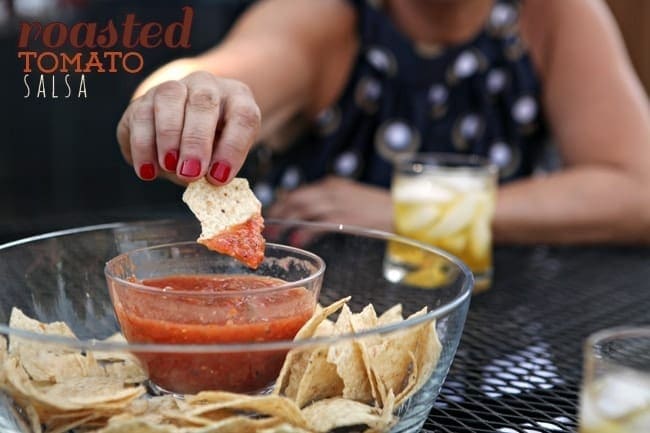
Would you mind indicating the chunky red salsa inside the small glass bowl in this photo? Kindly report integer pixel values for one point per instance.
(206, 313)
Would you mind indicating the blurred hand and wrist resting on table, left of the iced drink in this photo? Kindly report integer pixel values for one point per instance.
(337, 200)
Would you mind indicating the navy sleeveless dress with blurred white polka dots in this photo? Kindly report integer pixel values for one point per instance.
(479, 97)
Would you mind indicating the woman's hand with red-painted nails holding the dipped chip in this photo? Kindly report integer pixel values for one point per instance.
(188, 128)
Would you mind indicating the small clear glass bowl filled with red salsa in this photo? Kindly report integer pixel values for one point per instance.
(156, 300)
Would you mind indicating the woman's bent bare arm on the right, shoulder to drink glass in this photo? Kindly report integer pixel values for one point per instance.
(599, 116)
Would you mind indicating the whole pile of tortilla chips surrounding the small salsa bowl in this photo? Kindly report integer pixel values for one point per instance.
(357, 382)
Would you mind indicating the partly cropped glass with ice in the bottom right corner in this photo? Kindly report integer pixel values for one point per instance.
(615, 395)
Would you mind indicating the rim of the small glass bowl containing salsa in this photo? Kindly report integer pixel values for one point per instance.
(314, 276)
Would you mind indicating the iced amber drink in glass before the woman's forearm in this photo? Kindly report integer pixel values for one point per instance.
(447, 200)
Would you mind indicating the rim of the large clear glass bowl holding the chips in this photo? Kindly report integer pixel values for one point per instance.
(463, 297)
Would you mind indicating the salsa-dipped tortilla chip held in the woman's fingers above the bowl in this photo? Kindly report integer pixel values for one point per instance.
(230, 217)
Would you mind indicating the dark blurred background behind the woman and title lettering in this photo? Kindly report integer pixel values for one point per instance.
(60, 166)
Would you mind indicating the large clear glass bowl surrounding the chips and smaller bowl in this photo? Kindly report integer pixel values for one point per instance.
(59, 277)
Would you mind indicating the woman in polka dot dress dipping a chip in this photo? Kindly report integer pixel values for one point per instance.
(291, 62)
